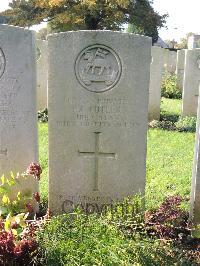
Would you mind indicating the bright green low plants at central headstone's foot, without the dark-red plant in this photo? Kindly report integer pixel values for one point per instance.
(77, 239)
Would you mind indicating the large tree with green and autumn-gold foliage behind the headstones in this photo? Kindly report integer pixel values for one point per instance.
(64, 15)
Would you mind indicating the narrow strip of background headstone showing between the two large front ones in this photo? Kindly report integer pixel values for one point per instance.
(42, 74)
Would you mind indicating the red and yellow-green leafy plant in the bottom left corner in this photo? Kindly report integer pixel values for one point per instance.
(17, 236)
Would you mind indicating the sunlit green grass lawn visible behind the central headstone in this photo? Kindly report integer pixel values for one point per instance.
(169, 159)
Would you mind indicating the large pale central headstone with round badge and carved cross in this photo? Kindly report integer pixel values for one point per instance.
(98, 106)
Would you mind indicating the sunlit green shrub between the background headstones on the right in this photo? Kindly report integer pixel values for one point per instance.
(169, 88)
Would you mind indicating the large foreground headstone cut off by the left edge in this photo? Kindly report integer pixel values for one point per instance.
(18, 117)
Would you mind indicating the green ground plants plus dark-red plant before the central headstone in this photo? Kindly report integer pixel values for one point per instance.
(118, 237)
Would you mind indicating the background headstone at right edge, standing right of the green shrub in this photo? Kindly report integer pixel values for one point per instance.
(191, 82)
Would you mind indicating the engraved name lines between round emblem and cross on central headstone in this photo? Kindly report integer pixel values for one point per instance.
(106, 112)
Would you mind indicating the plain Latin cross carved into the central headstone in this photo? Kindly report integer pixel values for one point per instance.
(96, 155)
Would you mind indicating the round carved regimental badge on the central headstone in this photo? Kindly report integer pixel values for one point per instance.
(98, 68)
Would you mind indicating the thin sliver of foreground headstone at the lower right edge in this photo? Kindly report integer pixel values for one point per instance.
(195, 191)
